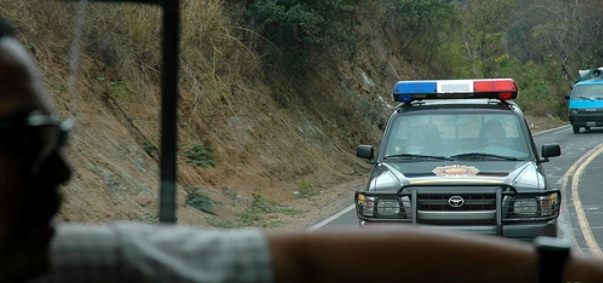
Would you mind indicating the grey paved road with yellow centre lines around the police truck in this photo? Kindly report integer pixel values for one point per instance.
(577, 173)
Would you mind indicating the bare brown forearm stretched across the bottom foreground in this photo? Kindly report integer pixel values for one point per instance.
(413, 255)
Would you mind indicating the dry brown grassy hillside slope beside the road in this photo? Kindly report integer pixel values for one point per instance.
(283, 148)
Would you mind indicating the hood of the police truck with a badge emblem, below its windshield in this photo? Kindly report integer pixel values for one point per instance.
(391, 176)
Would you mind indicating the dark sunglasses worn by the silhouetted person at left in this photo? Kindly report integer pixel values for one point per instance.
(34, 135)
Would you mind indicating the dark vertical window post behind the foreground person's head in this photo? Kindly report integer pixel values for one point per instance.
(169, 110)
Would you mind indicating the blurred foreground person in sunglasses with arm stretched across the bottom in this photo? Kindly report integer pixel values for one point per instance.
(32, 168)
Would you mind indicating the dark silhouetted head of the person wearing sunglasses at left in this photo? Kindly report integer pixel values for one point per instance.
(32, 165)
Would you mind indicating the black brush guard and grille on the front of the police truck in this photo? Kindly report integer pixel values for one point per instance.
(483, 205)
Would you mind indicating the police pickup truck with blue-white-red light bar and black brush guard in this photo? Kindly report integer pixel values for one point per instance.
(458, 154)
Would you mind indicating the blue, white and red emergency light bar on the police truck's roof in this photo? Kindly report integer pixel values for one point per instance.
(407, 91)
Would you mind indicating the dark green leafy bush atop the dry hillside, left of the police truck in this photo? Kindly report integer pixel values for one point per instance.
(295, 28)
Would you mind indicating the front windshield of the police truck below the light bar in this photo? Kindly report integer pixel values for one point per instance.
(457, 136)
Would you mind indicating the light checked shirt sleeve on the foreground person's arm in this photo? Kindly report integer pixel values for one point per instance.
(131, 252)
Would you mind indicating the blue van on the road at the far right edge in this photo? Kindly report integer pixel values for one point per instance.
(586, 100)
